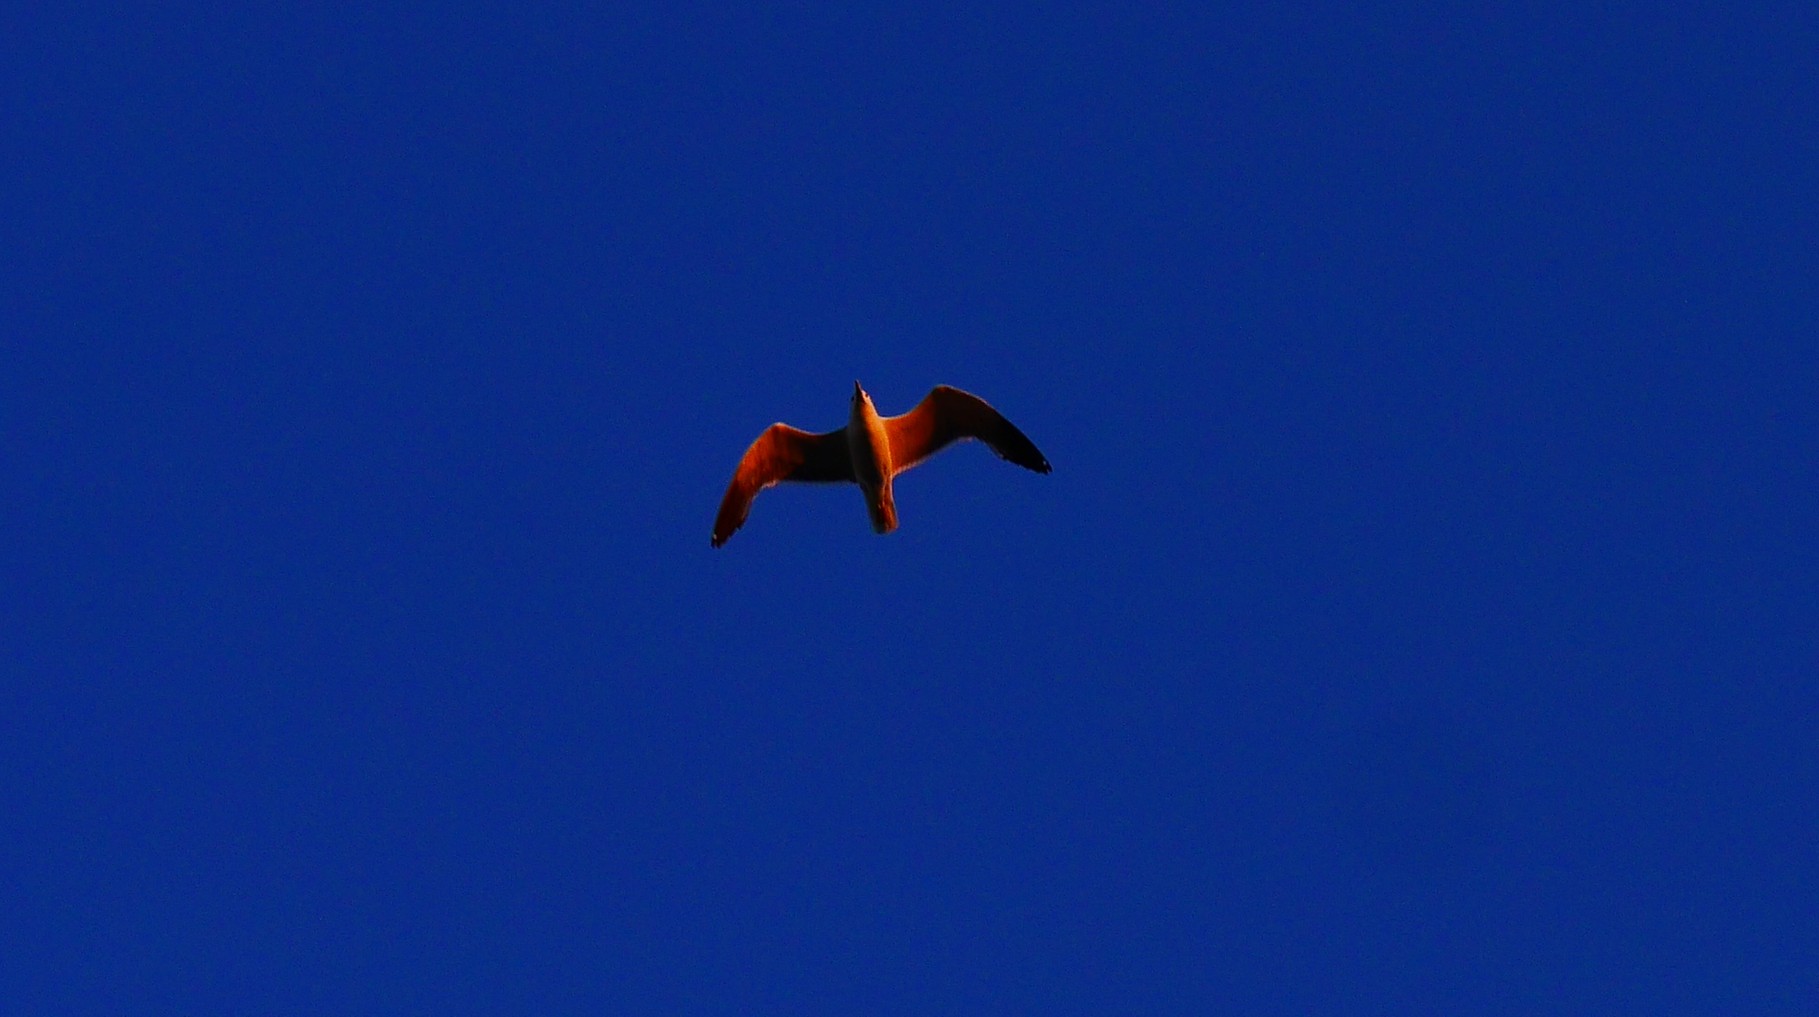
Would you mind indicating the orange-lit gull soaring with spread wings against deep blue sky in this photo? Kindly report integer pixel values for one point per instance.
(870, 452)
